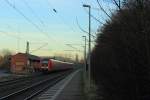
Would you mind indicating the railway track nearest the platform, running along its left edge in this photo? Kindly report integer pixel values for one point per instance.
(33, 87)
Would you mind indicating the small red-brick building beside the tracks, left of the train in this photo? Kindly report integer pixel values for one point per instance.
(24, 63)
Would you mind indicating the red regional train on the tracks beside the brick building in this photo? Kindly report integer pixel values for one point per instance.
(48, 65)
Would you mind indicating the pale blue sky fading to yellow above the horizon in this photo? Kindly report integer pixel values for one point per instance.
(47, 31)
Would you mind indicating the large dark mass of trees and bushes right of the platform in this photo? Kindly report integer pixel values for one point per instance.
(121, 57)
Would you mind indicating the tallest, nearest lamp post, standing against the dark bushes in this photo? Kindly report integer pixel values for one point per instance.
(89, 53)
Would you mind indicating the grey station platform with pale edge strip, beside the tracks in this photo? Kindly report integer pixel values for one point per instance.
(70, 88)
